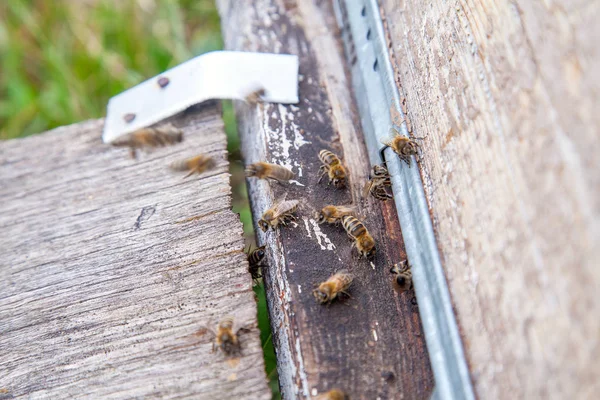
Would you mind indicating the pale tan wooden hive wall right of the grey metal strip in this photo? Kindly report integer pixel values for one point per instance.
(507, 95)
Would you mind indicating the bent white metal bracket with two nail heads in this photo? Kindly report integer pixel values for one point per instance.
(215, 75)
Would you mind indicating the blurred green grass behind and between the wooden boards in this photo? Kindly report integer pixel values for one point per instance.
(61, 60)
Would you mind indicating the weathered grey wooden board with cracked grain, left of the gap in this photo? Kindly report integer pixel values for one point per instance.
(111, 267)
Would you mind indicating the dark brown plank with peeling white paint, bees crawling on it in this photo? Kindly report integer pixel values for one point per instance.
(371, 346)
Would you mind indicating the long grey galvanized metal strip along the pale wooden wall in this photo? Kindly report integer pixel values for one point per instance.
(376, 92)
